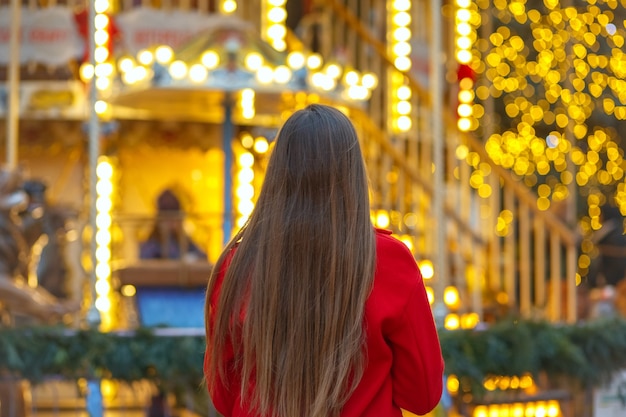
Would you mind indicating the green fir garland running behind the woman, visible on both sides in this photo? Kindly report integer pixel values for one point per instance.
(586, 352)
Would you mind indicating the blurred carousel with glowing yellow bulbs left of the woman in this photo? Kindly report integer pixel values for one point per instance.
(166, 163)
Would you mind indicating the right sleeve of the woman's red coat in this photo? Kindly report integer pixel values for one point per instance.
(417, 369)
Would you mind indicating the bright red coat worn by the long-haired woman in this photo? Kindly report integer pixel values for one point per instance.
(405, 366)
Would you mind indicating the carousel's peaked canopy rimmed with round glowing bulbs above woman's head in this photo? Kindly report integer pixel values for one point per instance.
(228, 63)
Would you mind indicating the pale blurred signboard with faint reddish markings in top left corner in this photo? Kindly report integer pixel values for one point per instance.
(48, 36)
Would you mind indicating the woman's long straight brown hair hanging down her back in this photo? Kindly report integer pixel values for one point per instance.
(300, 275)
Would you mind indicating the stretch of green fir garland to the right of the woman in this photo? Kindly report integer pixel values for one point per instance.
(588, 352)
